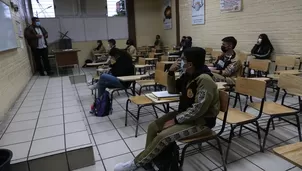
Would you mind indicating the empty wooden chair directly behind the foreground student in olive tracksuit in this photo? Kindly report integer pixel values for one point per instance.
(246, 87)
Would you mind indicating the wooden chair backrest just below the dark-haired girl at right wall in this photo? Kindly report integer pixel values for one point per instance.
(258, 66)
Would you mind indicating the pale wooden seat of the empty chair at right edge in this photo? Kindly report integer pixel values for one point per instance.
(272, 108)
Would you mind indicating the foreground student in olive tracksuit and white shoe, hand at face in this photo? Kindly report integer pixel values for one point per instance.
(196, 115)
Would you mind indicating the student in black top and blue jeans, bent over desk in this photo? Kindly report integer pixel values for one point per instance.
(122, 66)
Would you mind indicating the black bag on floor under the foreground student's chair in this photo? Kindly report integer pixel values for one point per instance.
(168, 159)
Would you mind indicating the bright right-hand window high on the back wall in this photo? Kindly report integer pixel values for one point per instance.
(116, 8)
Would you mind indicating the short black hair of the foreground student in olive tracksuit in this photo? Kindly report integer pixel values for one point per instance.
(196, 55)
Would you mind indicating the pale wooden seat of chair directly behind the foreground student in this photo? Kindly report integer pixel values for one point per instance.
(236, 116)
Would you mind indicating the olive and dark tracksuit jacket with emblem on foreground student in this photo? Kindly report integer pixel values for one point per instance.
(199, 101)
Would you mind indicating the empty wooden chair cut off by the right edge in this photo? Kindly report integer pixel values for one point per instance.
(290, 84)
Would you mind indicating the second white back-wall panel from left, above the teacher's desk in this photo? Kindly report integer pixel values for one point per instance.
(75, 28)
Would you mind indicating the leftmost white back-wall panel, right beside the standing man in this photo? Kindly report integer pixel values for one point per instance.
(52, 26)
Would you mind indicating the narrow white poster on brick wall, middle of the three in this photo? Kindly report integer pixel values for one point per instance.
(197, 12)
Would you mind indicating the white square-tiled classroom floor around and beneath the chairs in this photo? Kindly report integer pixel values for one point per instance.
(112, 141)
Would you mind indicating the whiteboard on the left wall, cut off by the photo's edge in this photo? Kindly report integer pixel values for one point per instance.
(7, 31)
